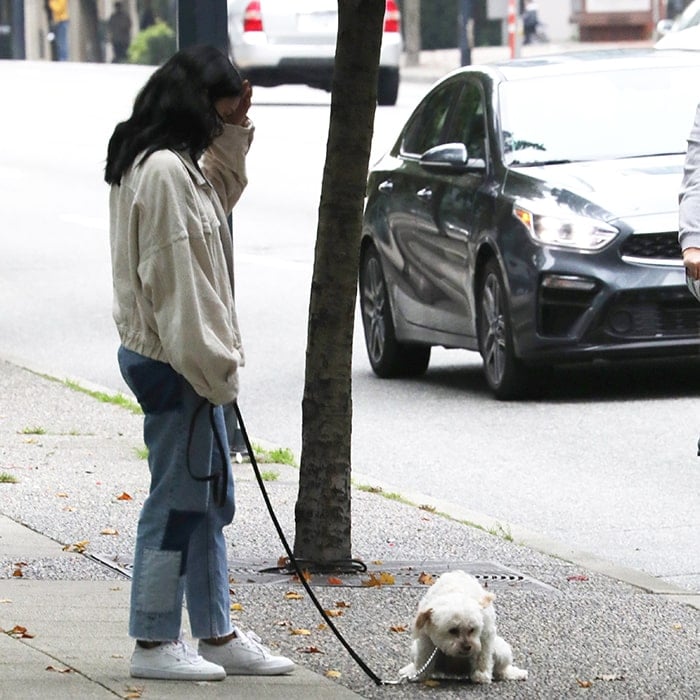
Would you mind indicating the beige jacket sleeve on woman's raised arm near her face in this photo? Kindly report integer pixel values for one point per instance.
(223, 163)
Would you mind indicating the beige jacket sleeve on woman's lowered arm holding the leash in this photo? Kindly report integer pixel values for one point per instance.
(194, 323)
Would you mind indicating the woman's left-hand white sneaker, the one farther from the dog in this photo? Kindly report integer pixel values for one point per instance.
(173, 661)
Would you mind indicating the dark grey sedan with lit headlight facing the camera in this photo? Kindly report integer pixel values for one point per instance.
(529, 210)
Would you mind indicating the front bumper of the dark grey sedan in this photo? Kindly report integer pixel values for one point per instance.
(622, 311)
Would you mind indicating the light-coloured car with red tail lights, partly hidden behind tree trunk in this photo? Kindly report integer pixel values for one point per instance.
(277, 42)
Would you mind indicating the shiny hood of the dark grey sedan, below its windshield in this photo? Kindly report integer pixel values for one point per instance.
(633, 189)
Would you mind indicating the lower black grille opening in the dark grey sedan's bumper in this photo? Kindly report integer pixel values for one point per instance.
(643, 315)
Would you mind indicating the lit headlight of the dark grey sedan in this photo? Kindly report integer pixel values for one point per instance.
(572, 231)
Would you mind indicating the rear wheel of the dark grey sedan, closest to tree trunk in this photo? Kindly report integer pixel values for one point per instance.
(388, 356)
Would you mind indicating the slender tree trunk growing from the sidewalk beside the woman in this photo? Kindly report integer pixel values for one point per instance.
(323, 517)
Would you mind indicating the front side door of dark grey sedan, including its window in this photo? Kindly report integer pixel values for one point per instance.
(437, 250)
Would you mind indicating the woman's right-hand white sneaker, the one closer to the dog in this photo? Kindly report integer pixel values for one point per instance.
(244, 655)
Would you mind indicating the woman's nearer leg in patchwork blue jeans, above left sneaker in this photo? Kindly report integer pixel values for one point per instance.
(175, 428)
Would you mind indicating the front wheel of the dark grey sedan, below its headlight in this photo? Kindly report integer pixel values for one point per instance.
(505, 374)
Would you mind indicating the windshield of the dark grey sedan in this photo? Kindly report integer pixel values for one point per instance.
(596, 116)
